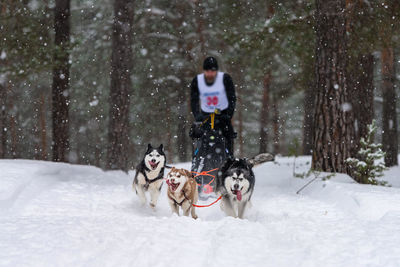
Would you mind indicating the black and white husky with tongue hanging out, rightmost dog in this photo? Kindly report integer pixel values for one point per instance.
(235, 183)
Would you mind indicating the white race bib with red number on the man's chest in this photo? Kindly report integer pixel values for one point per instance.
(212, 96)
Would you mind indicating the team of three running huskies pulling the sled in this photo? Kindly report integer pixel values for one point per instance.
(234, 182)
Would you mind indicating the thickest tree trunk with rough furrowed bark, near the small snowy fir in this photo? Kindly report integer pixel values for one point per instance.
(333, 121)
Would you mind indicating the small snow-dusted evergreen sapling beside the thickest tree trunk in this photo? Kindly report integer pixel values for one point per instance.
(369, 166)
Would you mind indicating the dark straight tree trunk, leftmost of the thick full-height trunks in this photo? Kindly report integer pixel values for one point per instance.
(60, 88)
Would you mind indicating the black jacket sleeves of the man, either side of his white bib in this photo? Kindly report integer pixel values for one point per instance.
(198, 114)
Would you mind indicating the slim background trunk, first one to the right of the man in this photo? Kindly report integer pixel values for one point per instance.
(264, 114)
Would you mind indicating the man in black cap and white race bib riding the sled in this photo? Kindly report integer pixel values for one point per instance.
(214, 91)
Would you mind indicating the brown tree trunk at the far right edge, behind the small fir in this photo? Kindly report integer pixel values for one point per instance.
(389, 135)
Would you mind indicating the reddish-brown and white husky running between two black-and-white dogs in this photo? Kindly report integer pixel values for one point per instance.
(182, 191)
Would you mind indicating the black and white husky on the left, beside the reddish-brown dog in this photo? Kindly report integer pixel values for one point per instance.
(149, 175)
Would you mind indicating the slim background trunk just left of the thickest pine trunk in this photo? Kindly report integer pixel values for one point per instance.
(308, 121)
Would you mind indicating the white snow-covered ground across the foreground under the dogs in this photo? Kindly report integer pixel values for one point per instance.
(68, 215)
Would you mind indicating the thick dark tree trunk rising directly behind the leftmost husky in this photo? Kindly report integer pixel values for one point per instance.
(121, 85)
